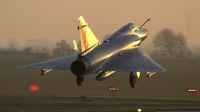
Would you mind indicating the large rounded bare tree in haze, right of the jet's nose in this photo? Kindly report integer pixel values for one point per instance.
(169, 44)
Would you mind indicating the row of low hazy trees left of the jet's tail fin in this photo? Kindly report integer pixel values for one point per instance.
(61, 48)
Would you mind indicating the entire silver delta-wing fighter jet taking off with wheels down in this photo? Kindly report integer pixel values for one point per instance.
(118, 52)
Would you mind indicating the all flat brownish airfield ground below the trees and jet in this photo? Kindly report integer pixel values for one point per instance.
(59, 92)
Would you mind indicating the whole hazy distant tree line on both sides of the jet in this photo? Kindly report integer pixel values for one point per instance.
(167, 44)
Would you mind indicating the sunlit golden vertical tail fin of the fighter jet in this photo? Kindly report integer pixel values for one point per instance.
(87, 37)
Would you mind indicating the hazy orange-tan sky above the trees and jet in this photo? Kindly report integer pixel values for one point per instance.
(22, 20)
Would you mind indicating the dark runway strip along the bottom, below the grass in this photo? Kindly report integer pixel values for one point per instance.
(53, 103)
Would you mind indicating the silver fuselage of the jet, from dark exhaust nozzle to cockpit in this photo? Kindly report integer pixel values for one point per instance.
(126, 37)
